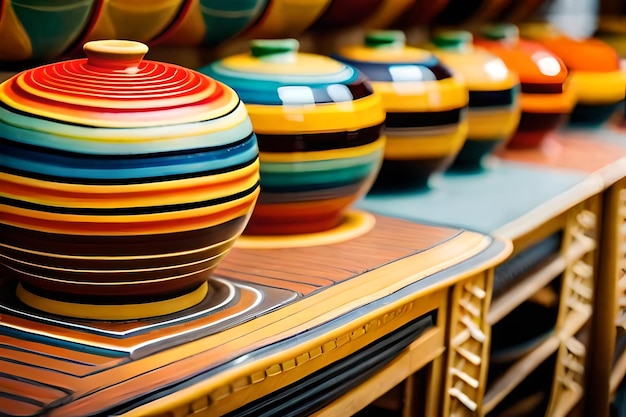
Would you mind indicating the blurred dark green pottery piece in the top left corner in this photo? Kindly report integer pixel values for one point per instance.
(41, 30)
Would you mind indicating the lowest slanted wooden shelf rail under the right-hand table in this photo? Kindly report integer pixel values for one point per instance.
(519, 371)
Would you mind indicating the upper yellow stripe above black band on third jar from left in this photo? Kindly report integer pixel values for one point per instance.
(446, 94)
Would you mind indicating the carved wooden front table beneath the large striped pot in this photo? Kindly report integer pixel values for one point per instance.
(290, 331)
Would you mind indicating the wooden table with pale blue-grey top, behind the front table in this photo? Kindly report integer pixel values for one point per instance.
(566, 189)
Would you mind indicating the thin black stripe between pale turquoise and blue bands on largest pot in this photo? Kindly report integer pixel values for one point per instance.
(143, 156)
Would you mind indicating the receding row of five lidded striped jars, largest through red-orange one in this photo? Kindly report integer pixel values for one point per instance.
(124, 181)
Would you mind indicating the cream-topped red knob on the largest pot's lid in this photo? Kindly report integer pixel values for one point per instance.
(117, 55)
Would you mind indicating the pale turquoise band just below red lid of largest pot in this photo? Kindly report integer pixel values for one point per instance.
(49, 134)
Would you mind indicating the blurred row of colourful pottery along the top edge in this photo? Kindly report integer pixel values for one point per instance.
(38, 30)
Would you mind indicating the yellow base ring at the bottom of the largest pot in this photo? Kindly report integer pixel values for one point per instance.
(113, 312)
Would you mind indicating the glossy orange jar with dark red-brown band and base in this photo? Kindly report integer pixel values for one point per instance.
(546, 96)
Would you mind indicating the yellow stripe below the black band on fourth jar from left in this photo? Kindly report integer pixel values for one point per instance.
(492, 124)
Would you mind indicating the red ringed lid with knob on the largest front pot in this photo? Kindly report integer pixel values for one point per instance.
(115, 87)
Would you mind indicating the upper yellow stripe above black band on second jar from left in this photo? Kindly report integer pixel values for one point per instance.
(316, 118)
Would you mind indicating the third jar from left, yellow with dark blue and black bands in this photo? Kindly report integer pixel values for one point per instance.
(426, 106)
